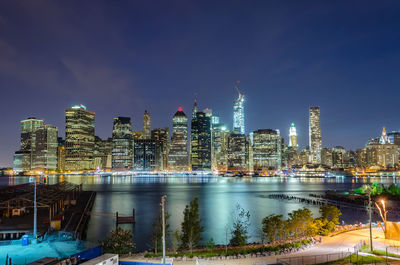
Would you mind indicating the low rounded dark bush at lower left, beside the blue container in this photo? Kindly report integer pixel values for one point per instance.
(118, 241)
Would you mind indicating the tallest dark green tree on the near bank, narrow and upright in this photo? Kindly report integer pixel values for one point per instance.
(191, 226)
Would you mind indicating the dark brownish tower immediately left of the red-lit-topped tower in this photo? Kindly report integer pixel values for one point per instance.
(161, 139)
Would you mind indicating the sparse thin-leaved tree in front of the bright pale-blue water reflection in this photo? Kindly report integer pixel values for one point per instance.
(240, 226)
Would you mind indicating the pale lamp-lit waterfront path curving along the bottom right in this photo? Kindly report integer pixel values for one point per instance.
(341, 243)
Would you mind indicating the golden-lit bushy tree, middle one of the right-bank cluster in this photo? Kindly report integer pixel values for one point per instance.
(300, 221)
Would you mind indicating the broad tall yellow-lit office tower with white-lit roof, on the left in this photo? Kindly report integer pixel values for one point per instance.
(79, 138)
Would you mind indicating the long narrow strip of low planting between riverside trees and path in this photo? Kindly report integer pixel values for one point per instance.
(232, 251)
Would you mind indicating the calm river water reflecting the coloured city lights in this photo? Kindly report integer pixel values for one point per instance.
(218, 197)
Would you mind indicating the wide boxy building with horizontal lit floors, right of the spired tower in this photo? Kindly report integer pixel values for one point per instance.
(267, 152)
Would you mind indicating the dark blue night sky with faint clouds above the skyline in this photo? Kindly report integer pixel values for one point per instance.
(121, 57)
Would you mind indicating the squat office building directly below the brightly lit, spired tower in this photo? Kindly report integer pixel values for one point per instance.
(239, 153)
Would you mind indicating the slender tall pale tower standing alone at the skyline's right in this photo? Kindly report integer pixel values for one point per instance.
(315, 135)
